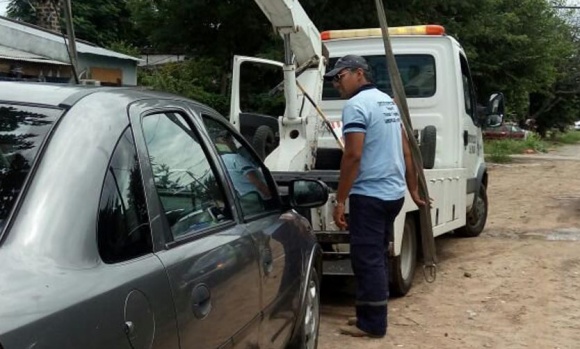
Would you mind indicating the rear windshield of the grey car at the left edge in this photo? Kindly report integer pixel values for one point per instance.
(22, 131)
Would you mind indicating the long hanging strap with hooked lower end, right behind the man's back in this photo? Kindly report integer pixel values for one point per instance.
(427, 239)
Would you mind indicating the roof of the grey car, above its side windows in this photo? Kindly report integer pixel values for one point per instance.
(65, 95)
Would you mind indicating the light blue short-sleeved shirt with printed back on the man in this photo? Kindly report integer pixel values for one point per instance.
(382, 168)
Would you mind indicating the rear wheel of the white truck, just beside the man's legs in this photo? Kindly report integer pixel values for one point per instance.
(402, 267)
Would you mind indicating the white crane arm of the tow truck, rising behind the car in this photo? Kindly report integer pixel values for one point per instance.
(305, 51)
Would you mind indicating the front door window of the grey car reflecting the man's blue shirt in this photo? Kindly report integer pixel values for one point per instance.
(253, 190)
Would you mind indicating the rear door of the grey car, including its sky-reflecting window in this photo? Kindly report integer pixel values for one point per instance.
(210, 259)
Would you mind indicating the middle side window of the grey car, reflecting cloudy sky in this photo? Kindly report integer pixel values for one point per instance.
(190, 193)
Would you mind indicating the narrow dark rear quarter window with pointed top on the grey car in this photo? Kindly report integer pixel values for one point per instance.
(123, 227)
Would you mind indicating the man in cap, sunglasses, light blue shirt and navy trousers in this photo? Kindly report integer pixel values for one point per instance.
(375, 170)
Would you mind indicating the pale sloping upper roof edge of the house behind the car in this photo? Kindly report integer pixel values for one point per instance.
(81, 45)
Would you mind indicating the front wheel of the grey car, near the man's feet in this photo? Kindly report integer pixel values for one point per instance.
(307, 337)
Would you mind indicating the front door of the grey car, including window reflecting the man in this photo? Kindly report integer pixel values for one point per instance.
(274, 231)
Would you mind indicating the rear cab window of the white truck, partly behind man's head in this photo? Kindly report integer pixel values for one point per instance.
(417, 72)
